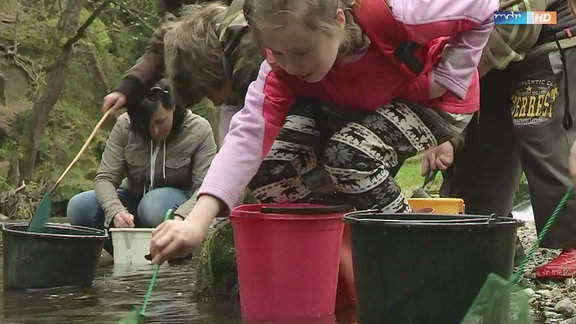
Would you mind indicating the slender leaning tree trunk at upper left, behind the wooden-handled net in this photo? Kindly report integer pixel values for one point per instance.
(55, 84)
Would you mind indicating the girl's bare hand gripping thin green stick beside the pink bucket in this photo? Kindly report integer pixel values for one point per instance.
(175, 239)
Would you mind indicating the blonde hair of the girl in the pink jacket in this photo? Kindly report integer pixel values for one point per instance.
(315, 14)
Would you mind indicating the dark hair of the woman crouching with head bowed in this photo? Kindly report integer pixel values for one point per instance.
(141, 113)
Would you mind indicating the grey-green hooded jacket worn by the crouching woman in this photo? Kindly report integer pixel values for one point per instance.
(182, 163)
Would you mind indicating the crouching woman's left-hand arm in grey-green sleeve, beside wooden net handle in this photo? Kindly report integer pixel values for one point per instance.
(111, 170)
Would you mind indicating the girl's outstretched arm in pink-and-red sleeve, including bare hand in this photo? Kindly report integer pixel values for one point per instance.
(252, 132)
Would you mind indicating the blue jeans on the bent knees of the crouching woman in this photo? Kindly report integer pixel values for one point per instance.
(149, 210)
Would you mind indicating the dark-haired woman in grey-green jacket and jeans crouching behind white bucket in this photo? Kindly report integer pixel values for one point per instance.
(155, 158)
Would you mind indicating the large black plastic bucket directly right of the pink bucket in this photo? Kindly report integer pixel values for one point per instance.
(426, 268)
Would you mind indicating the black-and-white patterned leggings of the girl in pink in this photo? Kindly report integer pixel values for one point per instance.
(356, 152)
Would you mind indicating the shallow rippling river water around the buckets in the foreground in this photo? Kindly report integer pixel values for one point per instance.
(117, 290)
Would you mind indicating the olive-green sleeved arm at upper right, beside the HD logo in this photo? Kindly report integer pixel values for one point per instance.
(509, 43)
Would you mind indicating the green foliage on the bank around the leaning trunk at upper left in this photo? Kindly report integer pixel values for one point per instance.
(109, 47)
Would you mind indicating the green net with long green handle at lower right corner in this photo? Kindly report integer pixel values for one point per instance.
(502, 301)
